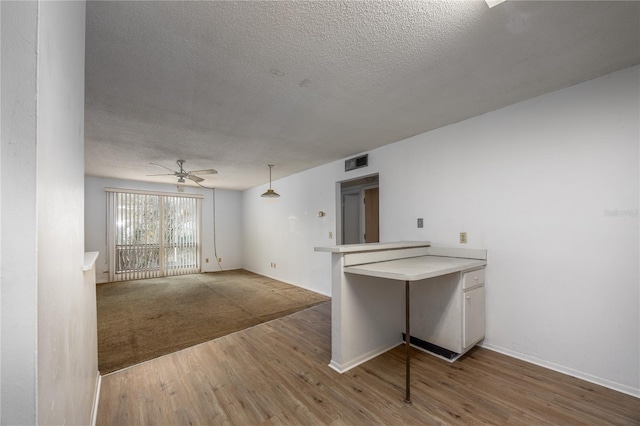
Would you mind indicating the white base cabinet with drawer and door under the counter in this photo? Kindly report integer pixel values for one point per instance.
(449, 311)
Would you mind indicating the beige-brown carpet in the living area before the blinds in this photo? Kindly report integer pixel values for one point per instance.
(144, 319)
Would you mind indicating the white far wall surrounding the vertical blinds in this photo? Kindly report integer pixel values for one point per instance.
(228, 222)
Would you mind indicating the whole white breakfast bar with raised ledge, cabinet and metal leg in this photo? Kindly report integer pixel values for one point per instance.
(368, 305)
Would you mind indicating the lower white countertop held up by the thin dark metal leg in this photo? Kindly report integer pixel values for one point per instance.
(416, 268)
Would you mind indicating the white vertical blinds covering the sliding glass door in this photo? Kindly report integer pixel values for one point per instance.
(152, 234)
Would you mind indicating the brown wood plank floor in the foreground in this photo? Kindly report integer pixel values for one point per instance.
(276, 373)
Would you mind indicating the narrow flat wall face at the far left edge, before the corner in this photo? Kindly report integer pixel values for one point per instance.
(19, 237)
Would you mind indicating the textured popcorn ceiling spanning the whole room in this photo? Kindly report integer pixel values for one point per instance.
(238, 85)
